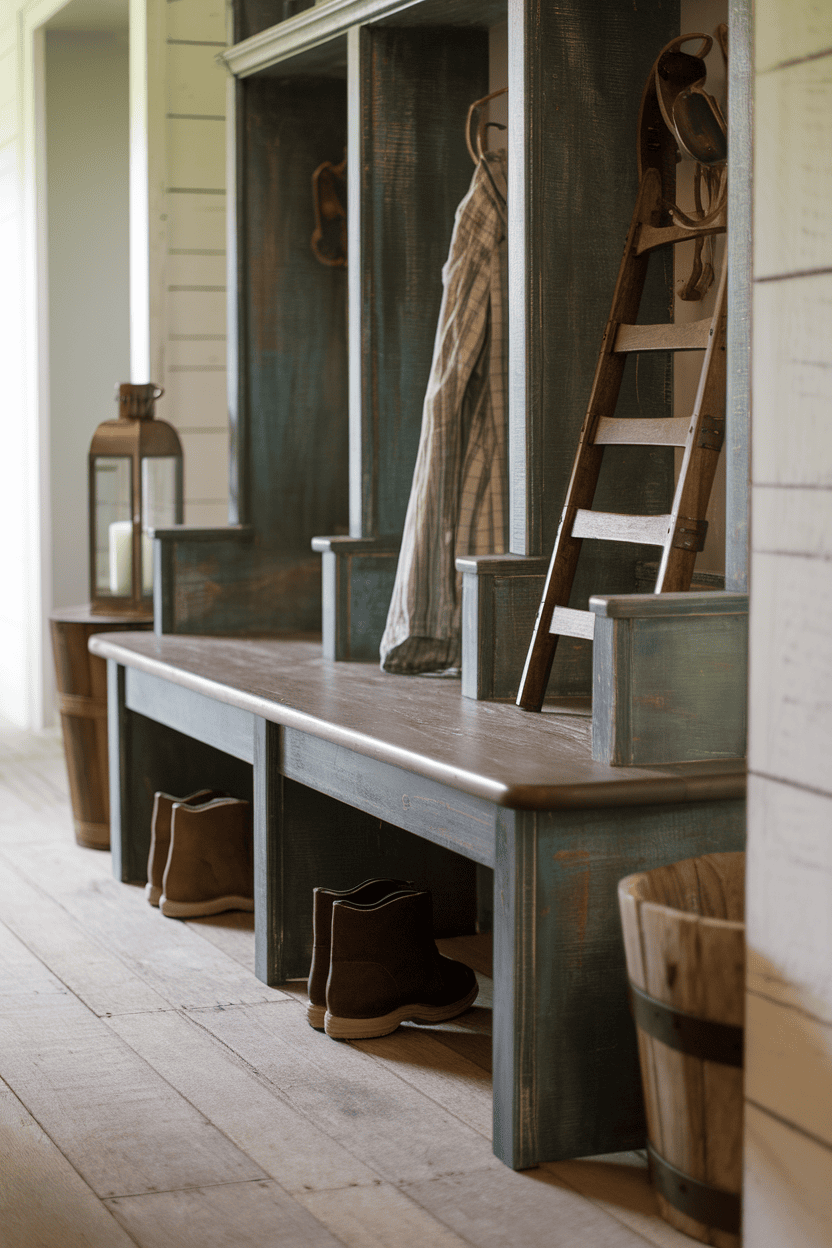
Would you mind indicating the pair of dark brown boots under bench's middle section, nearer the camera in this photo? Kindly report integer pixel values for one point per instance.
(375, 963)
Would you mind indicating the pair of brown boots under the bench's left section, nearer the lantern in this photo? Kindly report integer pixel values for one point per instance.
(201, 859)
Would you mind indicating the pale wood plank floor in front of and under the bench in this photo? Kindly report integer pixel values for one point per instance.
(154, 1093)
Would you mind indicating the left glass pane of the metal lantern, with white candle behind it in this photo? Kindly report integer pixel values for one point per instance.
(113, 526)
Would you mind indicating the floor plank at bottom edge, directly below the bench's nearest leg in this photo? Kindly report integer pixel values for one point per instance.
(543, 1211)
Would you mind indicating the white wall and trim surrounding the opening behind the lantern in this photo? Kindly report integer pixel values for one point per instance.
(177, 291)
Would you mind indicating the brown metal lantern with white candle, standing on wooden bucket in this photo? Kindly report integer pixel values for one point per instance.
(135, 487)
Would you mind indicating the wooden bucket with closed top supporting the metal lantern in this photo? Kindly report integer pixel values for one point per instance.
(82, 681)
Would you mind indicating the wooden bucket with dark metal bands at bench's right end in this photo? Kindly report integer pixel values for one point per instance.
(684, 937)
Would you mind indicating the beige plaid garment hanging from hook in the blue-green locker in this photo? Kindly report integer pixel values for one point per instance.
(460, 495)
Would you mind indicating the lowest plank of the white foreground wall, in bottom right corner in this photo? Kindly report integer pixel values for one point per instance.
(788, 1186)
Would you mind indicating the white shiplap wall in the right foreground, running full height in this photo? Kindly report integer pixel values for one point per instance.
(789, 1060)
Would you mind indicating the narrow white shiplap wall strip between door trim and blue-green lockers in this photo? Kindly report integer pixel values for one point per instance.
(194, 323)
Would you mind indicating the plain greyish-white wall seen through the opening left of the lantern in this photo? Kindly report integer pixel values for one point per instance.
(88, 275)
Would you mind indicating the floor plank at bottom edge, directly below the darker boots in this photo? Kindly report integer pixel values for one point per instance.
(379, 1217)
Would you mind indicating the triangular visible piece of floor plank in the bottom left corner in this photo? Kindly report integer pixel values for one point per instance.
(44, 1201)
